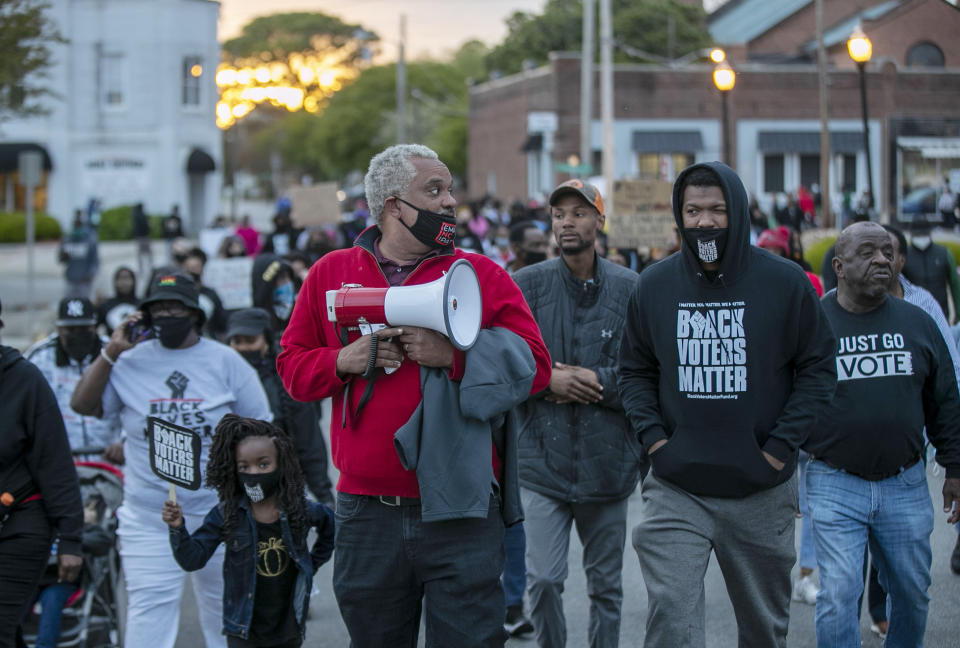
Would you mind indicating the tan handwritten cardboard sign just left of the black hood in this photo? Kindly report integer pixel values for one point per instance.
(642, 214)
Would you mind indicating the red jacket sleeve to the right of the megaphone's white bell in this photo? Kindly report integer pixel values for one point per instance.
(504, 306)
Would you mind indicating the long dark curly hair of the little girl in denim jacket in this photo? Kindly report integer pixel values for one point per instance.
(222, 471)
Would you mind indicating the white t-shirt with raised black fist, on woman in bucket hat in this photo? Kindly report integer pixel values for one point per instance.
(192, 388)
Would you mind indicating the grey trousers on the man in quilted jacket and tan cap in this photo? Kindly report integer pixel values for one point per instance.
(602, 528)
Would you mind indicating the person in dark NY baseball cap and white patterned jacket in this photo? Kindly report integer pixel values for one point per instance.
(62, 357)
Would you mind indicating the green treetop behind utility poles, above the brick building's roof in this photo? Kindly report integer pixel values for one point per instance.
(641, 25)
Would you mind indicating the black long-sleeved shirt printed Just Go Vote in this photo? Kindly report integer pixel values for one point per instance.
(894, 375)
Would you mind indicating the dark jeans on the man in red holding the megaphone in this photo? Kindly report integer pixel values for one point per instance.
(388, 564)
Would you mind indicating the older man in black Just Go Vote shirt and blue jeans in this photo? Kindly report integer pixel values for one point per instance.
(866, 481)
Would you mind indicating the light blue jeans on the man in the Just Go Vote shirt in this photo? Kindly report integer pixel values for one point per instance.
(895, 516)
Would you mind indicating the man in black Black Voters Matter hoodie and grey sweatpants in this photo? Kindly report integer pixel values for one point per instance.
(726, 360)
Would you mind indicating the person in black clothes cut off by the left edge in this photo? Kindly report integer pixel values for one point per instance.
(39, 494)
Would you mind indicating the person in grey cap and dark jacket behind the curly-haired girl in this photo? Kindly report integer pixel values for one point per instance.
(250, 333)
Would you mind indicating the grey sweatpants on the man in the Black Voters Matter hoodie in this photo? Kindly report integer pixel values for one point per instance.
(753, 538)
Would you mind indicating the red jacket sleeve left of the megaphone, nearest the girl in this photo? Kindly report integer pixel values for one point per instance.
(308, 363)
